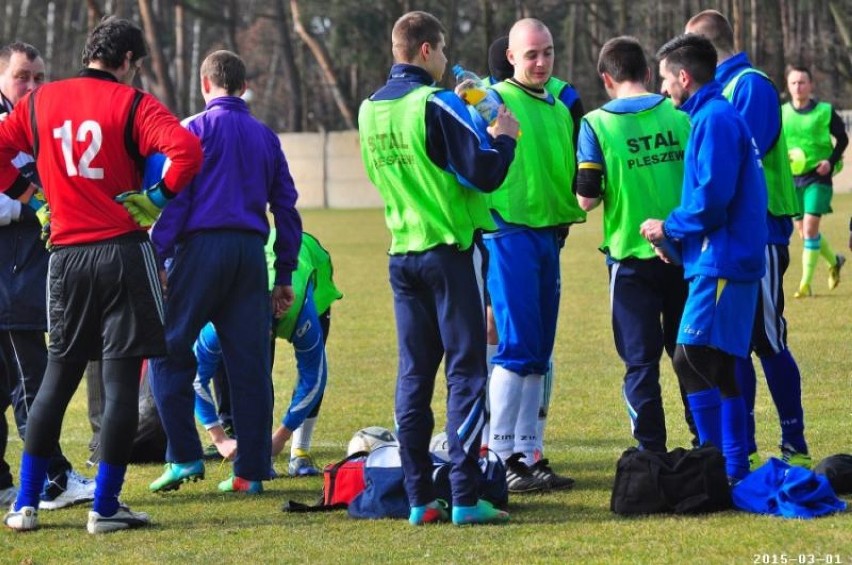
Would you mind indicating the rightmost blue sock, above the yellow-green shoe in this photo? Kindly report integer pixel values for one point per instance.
(785, 385)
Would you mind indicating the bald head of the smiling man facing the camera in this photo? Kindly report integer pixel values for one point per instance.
(531, 52)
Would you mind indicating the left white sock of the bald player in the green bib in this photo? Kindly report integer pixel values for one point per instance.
(505, 391)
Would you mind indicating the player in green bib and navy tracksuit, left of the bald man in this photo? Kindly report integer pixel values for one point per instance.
(429, 163)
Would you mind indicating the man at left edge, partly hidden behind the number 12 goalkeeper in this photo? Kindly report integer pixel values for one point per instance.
(23, 312)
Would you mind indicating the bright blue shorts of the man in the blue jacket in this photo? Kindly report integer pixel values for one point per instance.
(719, 314)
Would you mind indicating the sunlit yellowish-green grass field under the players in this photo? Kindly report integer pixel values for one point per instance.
(587, 432)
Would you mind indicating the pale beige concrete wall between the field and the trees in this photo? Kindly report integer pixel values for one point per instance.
(328, 171)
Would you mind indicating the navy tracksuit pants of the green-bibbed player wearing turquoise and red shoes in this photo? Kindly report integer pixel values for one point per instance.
(439, 312)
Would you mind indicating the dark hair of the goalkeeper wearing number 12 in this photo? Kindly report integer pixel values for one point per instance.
(111, 39)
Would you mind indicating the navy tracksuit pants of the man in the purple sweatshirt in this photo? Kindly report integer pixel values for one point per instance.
(220, 277)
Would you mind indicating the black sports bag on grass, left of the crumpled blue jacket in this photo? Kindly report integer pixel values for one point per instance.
(681, 482)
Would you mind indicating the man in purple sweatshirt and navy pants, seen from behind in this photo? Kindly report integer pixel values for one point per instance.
(214, 235)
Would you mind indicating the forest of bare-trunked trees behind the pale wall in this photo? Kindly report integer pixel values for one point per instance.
(311, 62)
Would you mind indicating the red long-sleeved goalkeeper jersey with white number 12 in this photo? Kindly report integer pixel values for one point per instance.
(89, 134)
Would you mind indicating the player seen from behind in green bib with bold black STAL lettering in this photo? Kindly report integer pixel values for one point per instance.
(630, 156)
